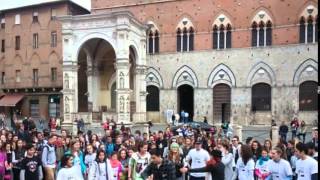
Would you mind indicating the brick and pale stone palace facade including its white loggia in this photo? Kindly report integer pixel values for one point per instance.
(244, 62)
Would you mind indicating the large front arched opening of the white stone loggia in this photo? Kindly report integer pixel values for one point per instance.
(96, 65)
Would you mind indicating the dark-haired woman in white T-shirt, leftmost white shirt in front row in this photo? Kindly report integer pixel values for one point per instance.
(68, 171)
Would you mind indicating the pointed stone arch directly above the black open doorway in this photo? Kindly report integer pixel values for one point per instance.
(185, 75)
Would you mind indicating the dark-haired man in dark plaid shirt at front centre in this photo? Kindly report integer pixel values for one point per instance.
(159, 168)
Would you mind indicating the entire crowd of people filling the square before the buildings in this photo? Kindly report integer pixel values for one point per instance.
(118, 154)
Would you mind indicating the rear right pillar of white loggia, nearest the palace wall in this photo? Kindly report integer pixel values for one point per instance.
(140, 94)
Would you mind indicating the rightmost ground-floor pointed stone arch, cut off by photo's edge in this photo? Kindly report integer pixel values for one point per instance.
(306, 71)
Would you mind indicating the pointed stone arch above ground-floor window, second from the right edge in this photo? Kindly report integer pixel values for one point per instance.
(261, 73)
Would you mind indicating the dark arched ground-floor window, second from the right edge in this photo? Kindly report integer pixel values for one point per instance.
(261, 97)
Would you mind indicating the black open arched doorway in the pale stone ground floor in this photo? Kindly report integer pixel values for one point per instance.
(185, 99)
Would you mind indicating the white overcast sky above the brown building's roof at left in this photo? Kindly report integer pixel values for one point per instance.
(9, 4)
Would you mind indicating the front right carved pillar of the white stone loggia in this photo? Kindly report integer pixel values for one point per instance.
(123, 90)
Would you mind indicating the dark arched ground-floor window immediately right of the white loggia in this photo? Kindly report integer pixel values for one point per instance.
(152, 98)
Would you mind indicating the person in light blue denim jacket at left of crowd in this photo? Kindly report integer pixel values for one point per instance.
(49, 158)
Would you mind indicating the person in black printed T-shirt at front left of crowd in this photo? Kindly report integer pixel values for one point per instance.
(31, 166)
